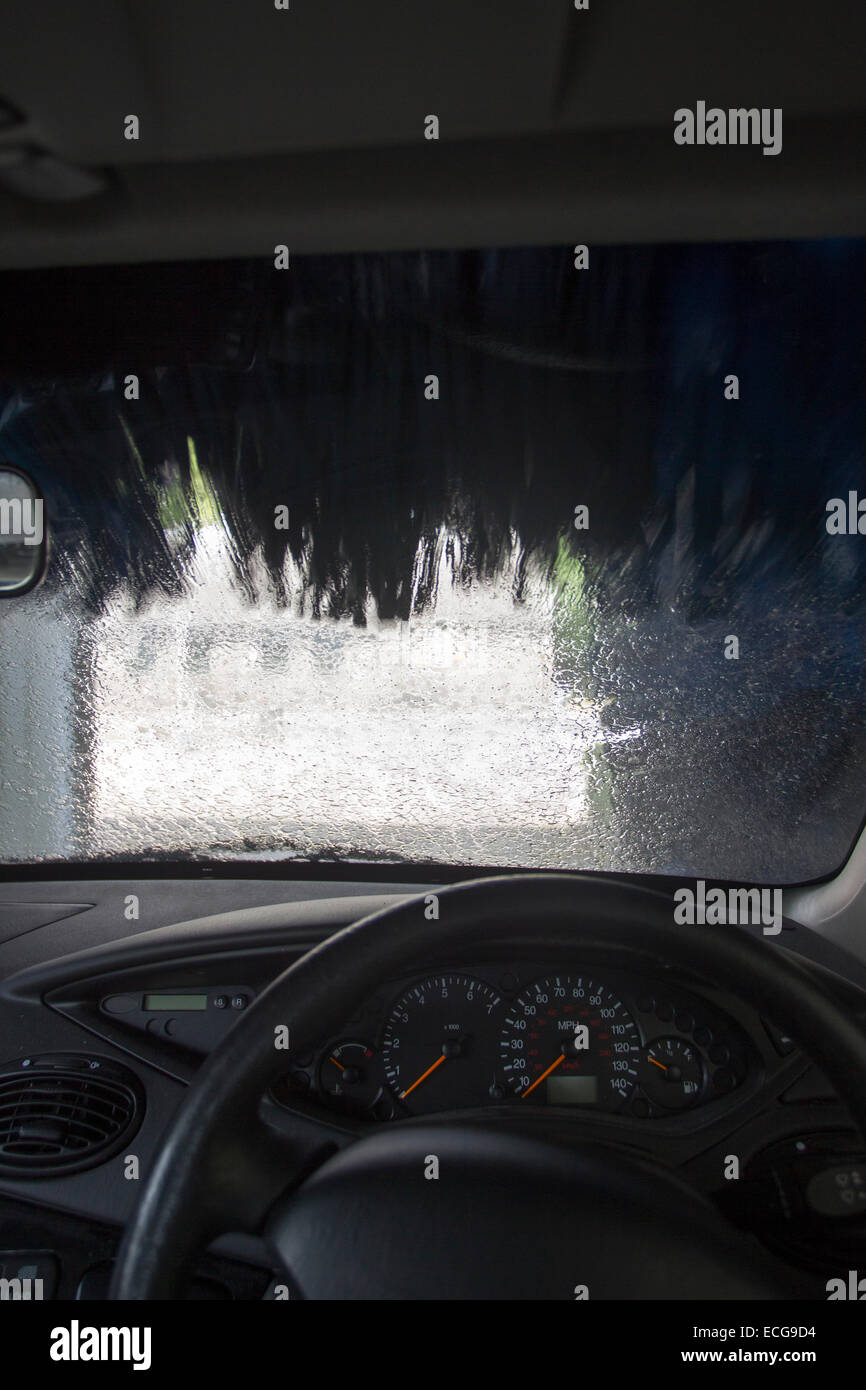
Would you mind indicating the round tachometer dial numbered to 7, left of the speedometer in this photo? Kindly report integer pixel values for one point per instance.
(440, 1045)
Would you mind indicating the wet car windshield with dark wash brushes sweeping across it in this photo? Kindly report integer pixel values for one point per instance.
(533, 558)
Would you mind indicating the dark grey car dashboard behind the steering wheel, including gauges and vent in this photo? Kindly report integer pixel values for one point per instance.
(124, 1013)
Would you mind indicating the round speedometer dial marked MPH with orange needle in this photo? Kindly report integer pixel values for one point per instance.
(571, 1042)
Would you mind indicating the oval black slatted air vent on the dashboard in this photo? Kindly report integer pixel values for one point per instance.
(65, 1113)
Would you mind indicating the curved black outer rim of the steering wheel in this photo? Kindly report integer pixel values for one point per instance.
(205, 1170)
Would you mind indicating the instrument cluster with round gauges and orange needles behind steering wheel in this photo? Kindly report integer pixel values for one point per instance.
(569, 1039)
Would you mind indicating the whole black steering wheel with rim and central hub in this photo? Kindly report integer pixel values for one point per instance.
(512, 1214)
